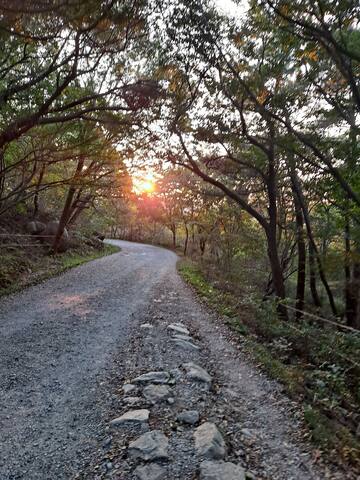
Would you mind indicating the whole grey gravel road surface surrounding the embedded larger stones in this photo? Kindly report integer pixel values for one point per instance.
(69, 344)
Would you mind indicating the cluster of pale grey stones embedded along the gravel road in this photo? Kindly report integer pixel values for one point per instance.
(208, 444)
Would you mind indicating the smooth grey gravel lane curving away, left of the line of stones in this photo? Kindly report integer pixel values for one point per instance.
(57, 340)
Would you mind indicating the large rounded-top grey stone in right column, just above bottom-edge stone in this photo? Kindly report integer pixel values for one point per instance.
(209, 442)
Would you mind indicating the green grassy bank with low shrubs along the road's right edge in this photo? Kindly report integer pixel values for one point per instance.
(316, 365)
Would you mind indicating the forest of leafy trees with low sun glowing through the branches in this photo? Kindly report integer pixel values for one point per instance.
(228, 131)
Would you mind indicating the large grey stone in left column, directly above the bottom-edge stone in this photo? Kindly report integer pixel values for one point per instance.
(150, 446)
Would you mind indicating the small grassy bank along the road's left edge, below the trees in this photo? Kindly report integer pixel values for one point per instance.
(20, 268)
